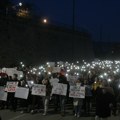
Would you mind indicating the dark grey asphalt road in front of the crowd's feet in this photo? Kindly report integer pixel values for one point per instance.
(9, 115)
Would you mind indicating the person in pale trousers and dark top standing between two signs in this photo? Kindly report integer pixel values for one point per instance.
(48, 93)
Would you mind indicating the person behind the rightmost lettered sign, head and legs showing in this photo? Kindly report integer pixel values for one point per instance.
(77, 102)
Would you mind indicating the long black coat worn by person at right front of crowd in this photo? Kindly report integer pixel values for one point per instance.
(103, 100)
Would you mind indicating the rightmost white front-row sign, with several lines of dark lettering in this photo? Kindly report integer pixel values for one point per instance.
(77, 92)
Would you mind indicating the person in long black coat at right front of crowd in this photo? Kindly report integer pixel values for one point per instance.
(104, 98)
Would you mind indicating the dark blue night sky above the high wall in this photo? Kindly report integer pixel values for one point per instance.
(96, 16)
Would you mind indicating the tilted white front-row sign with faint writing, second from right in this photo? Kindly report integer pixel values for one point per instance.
(59, 89)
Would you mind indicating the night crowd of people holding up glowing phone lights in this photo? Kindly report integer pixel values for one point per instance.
(100, 79)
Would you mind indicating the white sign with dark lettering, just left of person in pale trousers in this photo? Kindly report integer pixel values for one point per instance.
(38, 89)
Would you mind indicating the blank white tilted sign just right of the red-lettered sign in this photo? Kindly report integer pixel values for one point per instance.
(22, 92)
